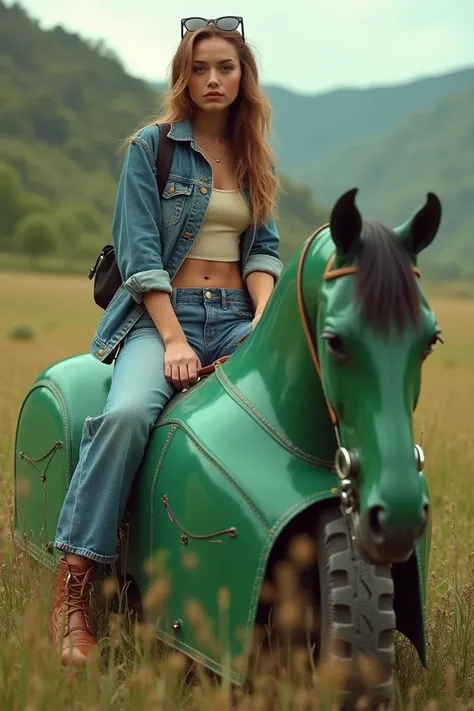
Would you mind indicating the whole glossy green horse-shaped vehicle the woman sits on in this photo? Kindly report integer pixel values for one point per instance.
(305, 433)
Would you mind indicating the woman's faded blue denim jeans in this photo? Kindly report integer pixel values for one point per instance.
(113, 443)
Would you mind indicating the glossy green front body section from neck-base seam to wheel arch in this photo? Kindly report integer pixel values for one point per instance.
(218, 469)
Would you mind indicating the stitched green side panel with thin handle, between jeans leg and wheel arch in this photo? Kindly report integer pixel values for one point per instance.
(203, 502)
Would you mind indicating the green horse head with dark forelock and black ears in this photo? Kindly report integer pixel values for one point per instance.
(370, 328)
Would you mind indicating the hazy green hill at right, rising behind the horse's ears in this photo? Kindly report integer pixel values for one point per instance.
(432, 150)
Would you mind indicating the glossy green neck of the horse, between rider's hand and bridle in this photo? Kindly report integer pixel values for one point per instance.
(274, 371)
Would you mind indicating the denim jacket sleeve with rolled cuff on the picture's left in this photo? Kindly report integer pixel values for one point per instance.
(136, 224)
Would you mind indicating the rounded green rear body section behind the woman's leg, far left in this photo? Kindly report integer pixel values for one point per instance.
(53, 411)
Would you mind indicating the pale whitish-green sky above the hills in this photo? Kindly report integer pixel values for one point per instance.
(309, 46)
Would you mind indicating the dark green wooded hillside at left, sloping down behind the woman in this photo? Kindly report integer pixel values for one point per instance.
(66, 106)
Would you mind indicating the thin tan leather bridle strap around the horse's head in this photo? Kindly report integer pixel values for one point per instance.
(329, 273)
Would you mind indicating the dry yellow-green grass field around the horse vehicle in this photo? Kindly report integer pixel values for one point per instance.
(63, 317)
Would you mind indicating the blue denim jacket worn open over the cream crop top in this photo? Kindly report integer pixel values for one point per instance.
(152, 236)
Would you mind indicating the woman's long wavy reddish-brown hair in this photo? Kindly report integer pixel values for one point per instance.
(249, 119)
